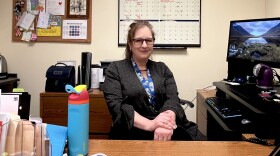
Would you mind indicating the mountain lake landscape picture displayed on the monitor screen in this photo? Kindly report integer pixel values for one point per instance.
(255, 40)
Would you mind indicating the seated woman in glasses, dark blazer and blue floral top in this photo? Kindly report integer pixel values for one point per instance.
(142, 96)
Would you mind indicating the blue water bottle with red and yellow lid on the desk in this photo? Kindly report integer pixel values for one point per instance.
(78, 120)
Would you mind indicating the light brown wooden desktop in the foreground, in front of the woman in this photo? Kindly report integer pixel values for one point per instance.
(177, 148)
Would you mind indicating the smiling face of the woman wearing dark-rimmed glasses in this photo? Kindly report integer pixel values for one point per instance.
(142, 44)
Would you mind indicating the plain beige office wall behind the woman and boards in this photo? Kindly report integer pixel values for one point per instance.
(194, 68)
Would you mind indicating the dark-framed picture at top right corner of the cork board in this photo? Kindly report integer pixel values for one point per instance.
(78, 9)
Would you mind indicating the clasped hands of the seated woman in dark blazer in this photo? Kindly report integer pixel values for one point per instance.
(164, 124)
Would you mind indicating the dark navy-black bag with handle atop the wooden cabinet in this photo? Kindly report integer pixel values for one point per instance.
(58, 77)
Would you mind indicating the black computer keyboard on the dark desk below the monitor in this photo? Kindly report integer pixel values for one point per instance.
(224, 107)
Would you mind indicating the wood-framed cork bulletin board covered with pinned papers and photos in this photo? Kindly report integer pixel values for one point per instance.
(52, 21)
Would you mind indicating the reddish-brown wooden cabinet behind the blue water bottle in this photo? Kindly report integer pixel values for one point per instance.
(54, 110)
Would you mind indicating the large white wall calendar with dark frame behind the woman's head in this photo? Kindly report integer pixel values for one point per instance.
(176, 22)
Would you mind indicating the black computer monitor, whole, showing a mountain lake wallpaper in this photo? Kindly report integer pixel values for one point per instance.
(251, 42)
